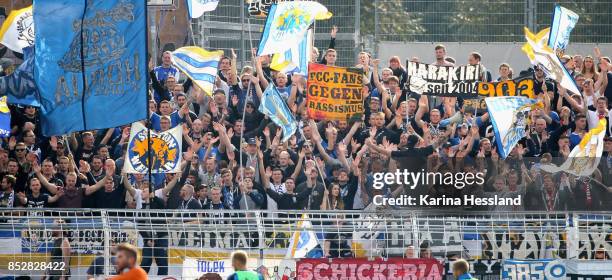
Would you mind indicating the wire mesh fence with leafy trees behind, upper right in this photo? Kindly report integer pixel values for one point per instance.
(482, 21)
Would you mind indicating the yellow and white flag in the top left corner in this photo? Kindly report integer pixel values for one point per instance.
(17, 31)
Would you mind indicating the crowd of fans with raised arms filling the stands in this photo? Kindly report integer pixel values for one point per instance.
(233, 156)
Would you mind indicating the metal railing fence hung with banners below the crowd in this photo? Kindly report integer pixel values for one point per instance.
(186, 243)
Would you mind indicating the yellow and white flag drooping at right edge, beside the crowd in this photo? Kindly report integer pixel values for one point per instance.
(584, 158)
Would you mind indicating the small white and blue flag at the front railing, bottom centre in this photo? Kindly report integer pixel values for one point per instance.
(304, 242)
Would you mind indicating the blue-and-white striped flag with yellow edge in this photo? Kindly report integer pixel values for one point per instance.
(199, 65)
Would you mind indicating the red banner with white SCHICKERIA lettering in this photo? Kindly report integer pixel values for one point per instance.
(363, 269)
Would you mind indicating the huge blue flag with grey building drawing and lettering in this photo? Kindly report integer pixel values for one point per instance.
(90, 60)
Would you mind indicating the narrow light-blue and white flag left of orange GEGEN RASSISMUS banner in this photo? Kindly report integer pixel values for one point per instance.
(273, 106)
